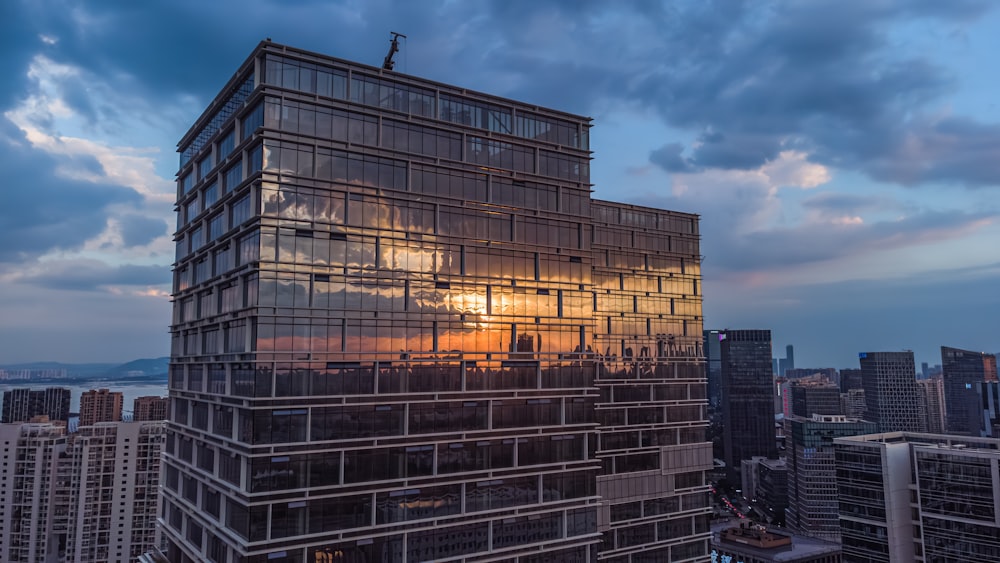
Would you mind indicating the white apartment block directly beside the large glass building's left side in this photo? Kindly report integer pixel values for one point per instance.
(114, 491)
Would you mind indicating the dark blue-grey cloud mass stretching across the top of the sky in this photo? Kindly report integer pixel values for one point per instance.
(760, 76)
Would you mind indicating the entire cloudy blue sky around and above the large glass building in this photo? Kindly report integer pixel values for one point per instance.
(844, 155)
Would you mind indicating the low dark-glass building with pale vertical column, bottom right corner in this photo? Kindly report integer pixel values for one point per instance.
(903, 494)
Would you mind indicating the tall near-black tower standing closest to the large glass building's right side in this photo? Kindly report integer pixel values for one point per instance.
(747, 404)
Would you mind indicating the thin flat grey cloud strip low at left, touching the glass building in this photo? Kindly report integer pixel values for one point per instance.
(92, 275)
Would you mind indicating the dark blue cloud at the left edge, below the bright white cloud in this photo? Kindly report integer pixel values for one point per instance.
(43, 211)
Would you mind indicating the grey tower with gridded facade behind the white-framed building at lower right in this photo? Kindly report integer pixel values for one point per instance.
(892, 397)
